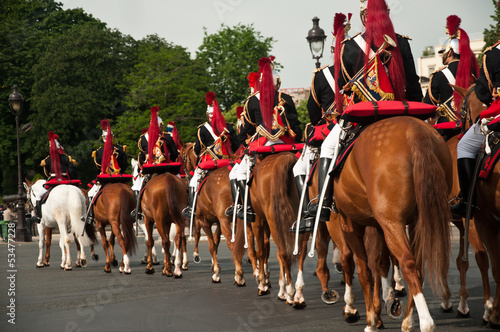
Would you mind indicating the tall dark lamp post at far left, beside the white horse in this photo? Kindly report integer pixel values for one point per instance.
(16, 102)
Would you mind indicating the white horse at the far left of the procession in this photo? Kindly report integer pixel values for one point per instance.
(64, 208)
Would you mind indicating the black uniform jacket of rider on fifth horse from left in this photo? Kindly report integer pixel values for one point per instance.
(253, 116)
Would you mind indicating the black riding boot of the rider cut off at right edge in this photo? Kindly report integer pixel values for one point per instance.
(465, 168)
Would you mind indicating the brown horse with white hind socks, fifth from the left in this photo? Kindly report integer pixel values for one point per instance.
(274, 199)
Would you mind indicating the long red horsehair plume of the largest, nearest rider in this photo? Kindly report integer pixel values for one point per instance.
(378, 24)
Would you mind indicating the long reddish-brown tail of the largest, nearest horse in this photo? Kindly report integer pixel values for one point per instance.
(432, 232)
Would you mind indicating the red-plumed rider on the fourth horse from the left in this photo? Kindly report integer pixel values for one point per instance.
(215, 140)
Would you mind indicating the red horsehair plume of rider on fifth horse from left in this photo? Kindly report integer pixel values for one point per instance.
(266, 91)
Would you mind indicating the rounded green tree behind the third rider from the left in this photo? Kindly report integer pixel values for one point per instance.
(164, 76)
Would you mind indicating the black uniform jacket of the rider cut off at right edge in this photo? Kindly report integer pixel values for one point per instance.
(492, 64)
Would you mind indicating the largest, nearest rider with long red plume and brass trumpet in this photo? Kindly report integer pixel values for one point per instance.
(355, 52)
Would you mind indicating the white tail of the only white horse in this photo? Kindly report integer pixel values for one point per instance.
(76, 209)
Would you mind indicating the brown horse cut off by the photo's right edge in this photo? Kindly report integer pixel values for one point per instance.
(485, 218)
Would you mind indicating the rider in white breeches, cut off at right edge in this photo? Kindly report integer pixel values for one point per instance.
(469, 145)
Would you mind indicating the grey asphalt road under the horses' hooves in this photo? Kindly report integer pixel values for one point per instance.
(86, 299)
